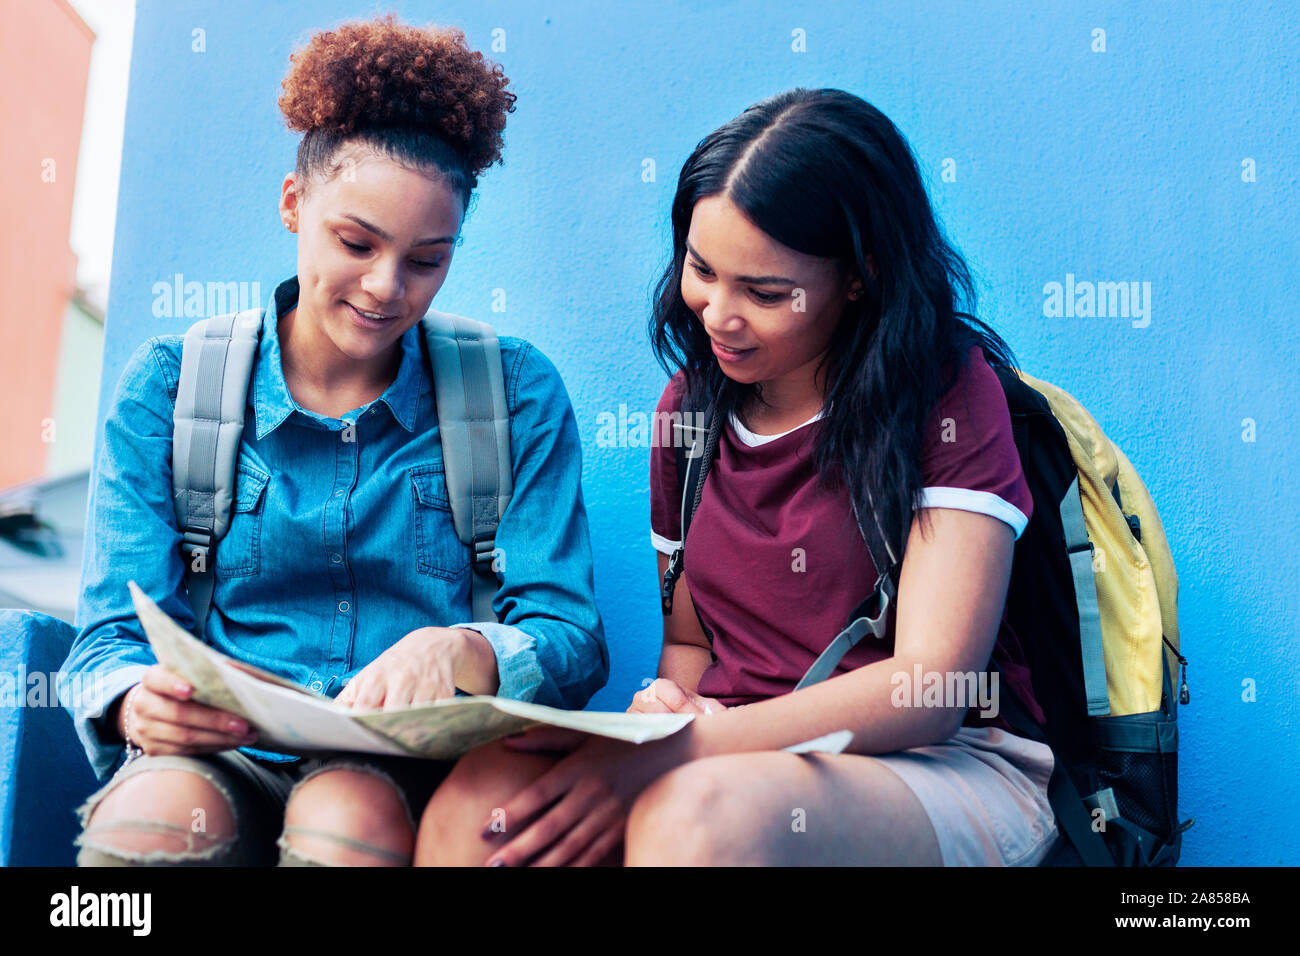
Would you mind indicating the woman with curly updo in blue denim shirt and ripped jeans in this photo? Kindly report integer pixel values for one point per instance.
(341, 569)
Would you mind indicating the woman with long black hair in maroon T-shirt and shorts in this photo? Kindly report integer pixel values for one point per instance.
(812, 299)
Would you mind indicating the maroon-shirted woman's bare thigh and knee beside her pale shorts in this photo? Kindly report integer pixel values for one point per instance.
(777, 808)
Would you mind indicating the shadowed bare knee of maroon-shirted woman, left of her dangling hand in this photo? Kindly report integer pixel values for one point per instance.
(471, 799)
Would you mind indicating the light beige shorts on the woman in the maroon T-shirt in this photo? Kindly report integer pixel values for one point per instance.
(986, 793)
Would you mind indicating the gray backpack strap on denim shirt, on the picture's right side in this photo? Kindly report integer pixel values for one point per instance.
(474, 425)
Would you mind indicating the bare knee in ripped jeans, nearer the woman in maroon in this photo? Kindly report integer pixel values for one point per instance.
(346, 817)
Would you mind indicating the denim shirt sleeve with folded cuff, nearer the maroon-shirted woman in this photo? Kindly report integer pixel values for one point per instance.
(549, 643)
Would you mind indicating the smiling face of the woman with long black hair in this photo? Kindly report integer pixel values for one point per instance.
(769, 310)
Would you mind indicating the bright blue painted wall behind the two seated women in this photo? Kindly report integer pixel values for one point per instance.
(1116, 166)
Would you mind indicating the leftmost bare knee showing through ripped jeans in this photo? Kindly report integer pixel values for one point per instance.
(164, 816)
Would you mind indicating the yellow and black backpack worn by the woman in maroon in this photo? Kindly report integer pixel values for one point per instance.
(1094, 600)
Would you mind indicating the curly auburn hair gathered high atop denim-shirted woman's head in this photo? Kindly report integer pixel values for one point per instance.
(421, 96)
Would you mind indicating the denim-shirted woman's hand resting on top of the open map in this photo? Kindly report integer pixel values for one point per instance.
(419, 669)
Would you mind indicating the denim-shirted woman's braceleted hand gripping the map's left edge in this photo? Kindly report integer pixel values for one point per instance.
(163, 720)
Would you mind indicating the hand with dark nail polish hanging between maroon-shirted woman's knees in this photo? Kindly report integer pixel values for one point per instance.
(592, 790)
